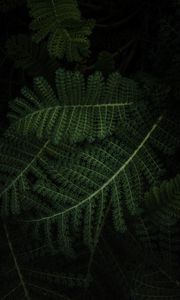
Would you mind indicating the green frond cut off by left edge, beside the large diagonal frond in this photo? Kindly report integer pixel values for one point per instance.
(21, 162)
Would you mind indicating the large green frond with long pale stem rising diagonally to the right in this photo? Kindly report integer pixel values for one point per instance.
(113, 170)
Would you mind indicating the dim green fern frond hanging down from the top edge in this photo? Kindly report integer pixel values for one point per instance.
(61, 22)
